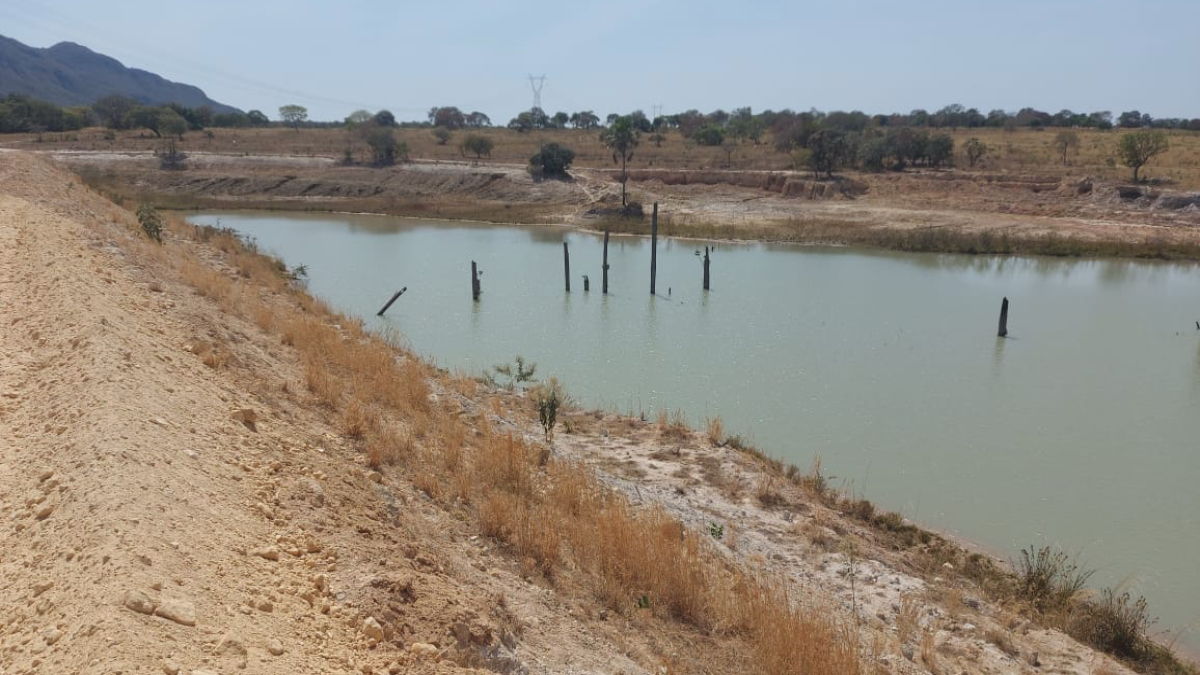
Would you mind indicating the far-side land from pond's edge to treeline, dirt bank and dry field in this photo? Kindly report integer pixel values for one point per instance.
(1019, 200)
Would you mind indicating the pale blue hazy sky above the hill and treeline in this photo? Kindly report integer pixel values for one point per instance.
(877, 56)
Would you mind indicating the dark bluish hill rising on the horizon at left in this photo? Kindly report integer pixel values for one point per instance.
(73, 75)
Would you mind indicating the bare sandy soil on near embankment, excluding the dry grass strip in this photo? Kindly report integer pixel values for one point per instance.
(165, 516)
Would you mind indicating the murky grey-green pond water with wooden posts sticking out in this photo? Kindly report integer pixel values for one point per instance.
(1083, 429)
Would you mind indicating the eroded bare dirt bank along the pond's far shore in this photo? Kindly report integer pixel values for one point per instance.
(881, 210)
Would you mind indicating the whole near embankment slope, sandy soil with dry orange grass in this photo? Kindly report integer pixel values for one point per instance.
(206, 470)
